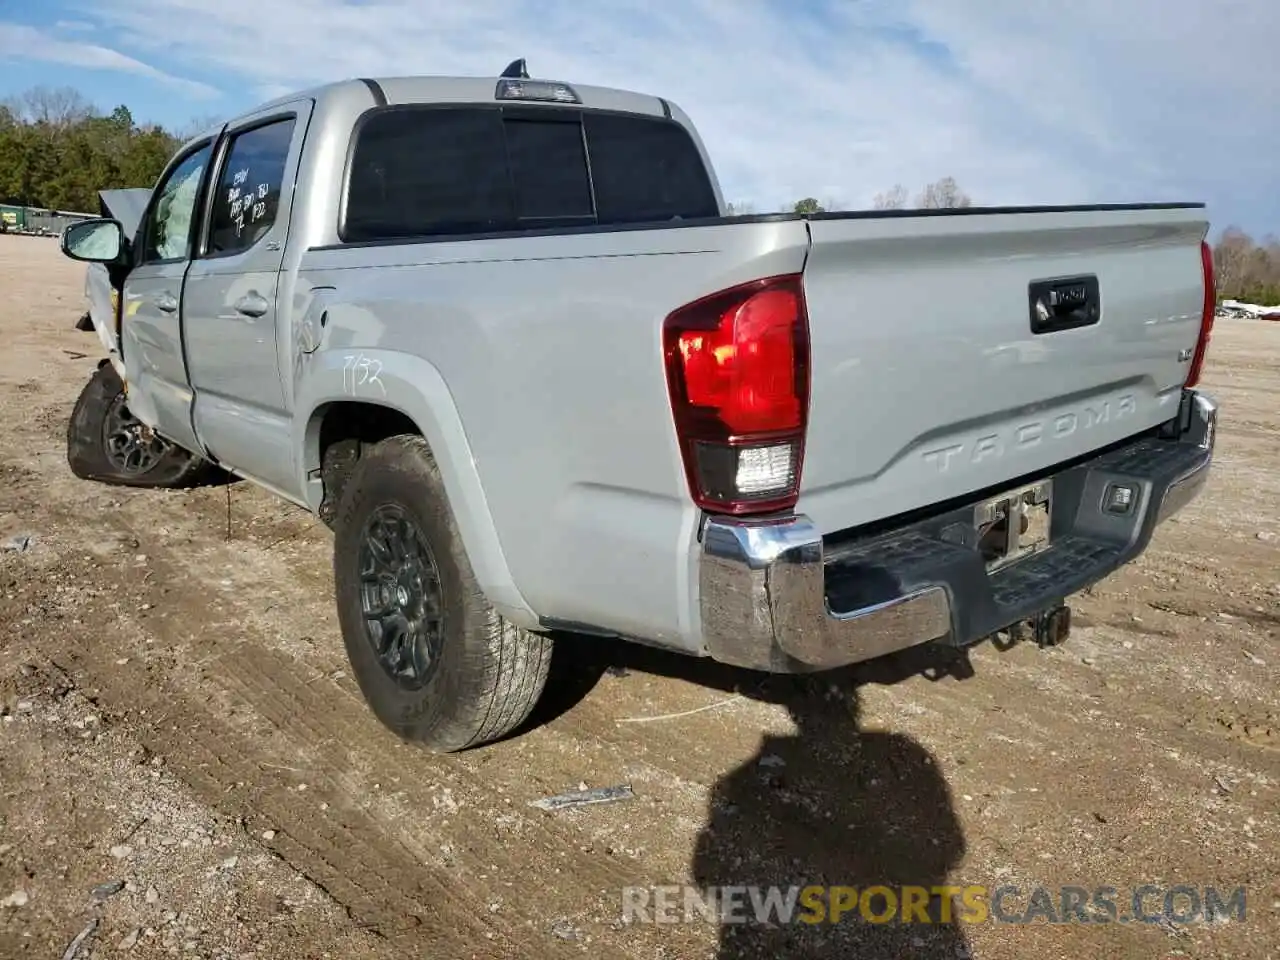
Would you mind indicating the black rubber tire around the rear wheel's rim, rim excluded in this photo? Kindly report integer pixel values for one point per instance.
(487, 674)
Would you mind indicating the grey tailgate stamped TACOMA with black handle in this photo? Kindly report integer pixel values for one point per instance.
(929, 381)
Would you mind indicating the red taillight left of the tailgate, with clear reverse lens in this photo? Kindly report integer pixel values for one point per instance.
(738, 372)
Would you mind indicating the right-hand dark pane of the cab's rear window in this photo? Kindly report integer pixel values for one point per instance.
(646, 170)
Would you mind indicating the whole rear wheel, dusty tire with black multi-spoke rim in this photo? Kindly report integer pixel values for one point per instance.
(435, 661)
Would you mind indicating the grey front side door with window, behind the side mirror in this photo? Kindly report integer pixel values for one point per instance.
(153, 301)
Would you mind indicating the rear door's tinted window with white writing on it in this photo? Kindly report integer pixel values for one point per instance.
(249, 189)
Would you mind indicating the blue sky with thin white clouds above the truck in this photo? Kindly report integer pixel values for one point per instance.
(1130, 100)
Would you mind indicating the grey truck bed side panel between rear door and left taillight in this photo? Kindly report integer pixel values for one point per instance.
(551, 353)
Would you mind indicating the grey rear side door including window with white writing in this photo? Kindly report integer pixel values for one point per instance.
(235, 342)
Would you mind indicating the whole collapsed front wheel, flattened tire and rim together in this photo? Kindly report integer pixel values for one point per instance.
(108, 444)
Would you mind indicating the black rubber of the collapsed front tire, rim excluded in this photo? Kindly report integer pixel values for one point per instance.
(88, 452)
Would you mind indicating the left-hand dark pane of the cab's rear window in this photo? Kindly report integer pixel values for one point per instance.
(428, 172)
